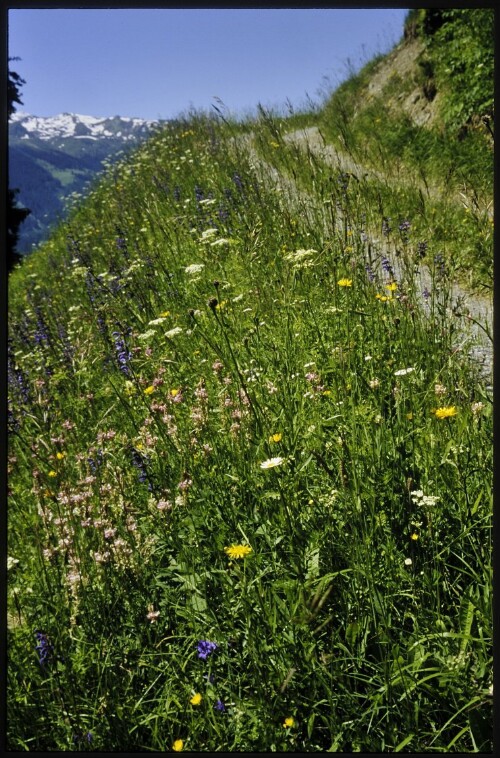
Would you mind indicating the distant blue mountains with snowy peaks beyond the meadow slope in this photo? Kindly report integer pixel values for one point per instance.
(52, 157)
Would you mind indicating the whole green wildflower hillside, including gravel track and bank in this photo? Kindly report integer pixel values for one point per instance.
(251, 433)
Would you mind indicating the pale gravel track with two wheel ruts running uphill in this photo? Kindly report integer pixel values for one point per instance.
(473, 313)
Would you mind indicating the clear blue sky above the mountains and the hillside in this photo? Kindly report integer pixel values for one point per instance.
(159, 63)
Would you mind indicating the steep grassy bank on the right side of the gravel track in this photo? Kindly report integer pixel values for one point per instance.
(442, 176)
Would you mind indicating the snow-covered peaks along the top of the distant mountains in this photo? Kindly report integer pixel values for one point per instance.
(79, 126)
